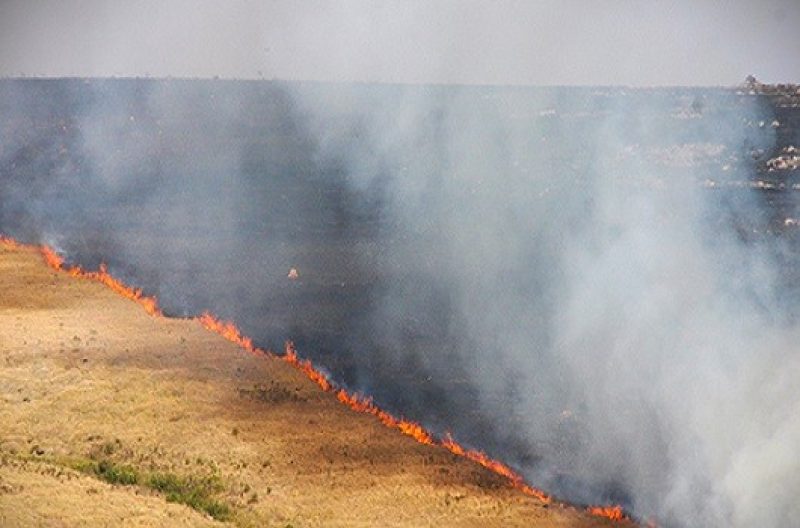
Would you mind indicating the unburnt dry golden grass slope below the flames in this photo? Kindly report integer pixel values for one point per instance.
(109, 416)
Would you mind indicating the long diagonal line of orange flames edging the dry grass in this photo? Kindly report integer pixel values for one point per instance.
(355, 401)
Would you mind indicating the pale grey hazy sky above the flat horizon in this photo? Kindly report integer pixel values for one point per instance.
(493, 41)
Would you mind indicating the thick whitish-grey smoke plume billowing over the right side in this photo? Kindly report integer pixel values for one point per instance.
(617, 315)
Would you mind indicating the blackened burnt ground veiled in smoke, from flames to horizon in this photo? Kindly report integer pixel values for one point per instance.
(515, 266)
